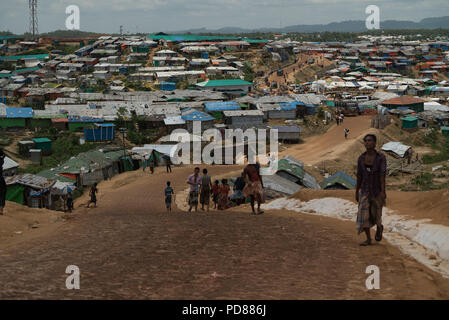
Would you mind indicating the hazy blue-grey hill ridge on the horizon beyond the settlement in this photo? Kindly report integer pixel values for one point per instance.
(344, 26)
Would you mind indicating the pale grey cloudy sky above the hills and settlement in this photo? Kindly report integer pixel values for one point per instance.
(170, 15)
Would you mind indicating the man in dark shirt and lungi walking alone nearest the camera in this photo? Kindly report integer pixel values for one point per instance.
(370, 191)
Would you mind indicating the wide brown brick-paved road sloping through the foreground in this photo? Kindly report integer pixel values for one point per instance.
(129, 247)
